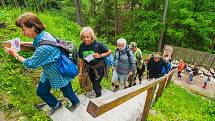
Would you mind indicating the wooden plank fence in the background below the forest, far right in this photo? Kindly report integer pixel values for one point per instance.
(193, 56)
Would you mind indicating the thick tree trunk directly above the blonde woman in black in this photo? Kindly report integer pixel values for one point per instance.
(78, 12)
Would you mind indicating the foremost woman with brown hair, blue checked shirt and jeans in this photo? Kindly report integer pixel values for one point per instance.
(45, 56)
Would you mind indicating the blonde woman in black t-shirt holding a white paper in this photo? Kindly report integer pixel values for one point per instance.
(91, 54)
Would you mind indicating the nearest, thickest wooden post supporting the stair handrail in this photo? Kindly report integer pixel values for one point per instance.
(148, 102)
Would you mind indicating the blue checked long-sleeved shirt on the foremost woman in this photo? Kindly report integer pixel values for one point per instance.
(47, 56)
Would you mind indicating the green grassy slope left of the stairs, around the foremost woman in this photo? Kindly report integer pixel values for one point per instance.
(17, 84)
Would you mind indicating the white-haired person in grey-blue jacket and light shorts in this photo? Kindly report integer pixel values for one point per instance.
(124, 64)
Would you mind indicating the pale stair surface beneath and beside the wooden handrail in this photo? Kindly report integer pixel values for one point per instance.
(133, 107)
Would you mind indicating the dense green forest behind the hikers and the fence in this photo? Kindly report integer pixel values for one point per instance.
(184, 23)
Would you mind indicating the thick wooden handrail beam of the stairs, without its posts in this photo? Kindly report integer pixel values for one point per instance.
(101, 105)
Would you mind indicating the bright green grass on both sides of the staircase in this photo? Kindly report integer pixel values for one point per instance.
(18, 85)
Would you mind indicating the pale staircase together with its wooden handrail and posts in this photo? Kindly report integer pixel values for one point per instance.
(131, 104)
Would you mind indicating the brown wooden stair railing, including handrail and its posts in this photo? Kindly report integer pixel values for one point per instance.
(99, 106)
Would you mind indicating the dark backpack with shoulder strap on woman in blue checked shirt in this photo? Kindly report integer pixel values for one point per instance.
(66, 47)
